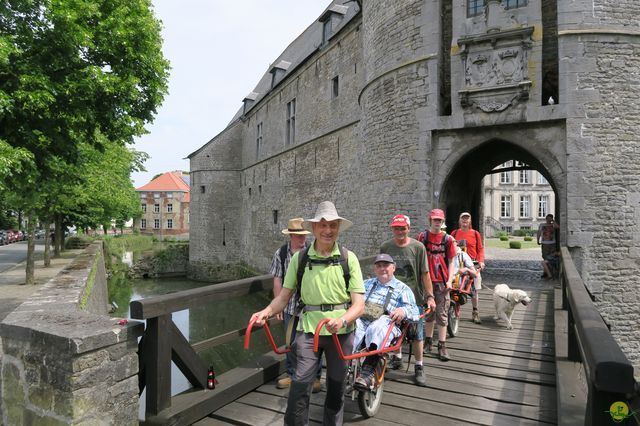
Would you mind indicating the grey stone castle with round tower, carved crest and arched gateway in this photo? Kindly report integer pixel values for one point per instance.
(399, 106)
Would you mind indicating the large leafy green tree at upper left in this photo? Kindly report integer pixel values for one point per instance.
(73, 73)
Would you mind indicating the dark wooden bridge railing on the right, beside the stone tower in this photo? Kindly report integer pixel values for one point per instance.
(609, 373)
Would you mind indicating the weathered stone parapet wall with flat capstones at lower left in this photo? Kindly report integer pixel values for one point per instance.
(64, 361)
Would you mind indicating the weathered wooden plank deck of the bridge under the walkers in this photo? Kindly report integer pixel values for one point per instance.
(496, 377)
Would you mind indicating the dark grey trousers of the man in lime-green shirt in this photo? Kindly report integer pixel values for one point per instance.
(306, 362)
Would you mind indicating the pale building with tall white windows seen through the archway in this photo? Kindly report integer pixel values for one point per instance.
(515, 199)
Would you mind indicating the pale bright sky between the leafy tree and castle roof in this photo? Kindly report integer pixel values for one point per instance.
(219, 50)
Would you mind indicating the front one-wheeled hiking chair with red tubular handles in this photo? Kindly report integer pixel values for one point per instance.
(369, 400)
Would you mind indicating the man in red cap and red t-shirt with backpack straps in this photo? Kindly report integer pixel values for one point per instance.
(441, 251)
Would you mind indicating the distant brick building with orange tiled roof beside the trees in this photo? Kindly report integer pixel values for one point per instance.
(164, 203)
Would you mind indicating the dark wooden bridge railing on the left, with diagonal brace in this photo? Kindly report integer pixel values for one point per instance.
(162, 343)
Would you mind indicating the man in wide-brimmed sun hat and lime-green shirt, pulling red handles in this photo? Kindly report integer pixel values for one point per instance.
(329, 281)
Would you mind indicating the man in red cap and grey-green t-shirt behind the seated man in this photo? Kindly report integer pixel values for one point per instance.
(410, 268)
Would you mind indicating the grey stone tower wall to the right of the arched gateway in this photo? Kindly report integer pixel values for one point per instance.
(600, 59)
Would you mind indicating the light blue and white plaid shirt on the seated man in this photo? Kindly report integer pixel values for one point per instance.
(402, 296)
